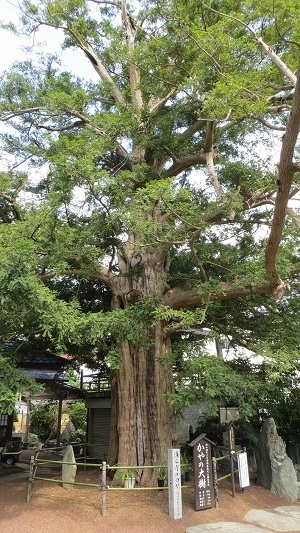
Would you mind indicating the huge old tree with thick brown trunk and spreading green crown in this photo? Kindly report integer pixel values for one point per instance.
(155, 182)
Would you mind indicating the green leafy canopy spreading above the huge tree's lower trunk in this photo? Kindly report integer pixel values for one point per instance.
(120, 166)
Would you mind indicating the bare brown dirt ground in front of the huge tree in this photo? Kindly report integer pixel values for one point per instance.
(53, 509)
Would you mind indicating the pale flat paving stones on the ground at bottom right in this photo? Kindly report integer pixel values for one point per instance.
(285, 518)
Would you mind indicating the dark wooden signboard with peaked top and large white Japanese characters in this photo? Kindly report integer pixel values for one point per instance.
(204, 489)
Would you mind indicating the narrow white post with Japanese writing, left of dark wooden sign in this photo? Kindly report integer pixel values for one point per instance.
(174, 483)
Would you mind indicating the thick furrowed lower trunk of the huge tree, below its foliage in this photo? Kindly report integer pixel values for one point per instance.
(143, 426)
